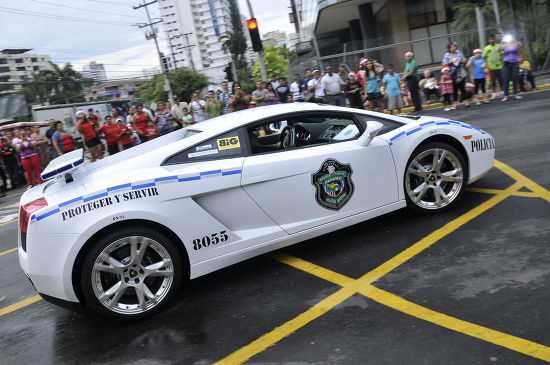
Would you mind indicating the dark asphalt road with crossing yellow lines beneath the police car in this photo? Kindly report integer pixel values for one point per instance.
(473, 286)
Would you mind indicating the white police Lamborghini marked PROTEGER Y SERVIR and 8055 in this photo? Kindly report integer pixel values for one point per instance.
(121, 234)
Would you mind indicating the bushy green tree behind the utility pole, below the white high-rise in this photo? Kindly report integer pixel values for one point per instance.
(184, 82)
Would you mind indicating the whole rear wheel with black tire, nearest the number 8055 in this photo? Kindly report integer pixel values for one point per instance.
(130, 275)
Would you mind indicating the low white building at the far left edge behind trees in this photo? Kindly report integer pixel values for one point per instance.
(17, 67)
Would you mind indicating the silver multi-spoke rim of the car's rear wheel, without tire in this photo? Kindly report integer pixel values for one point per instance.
(132, 275)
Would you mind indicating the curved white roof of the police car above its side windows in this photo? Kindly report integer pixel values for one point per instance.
(244, 117)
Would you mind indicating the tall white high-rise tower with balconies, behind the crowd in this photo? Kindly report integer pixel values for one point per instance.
(194, 28)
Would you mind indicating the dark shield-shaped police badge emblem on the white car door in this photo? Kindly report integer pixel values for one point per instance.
(333, 184)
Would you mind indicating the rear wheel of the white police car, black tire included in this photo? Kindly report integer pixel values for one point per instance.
(159, 247)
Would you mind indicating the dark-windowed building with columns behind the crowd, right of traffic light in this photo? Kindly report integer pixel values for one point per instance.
(363, 24)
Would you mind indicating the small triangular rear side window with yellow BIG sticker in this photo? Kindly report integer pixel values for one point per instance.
(227, 145)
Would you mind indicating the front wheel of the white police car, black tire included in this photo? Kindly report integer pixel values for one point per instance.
(434, 180)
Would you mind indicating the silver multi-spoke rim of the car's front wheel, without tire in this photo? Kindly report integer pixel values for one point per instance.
(434, 178)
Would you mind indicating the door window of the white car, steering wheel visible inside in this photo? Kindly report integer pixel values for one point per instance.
(300, 131)
